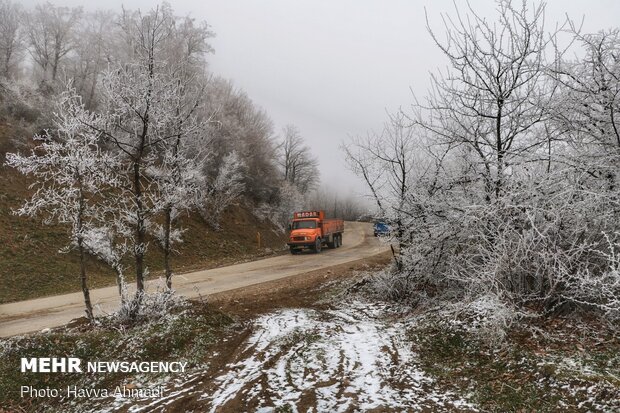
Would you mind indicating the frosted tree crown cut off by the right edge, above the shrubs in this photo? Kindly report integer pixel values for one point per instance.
(587, 117)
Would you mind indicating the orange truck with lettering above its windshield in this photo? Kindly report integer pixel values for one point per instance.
(310, 230)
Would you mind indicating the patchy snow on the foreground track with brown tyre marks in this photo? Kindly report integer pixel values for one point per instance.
(345, 359)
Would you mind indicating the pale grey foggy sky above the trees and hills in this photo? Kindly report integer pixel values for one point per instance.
(334, 67)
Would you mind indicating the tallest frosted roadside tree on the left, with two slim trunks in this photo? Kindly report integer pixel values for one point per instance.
(148, 116)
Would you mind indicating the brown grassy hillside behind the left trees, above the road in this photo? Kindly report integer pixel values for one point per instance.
(31, 265)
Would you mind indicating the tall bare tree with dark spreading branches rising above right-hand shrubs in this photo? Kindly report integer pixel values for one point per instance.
(494, 95)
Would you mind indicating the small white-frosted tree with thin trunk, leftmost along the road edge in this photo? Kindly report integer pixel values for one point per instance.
(71, 172)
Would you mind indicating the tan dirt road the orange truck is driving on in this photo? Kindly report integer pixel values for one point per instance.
(34, 315)
